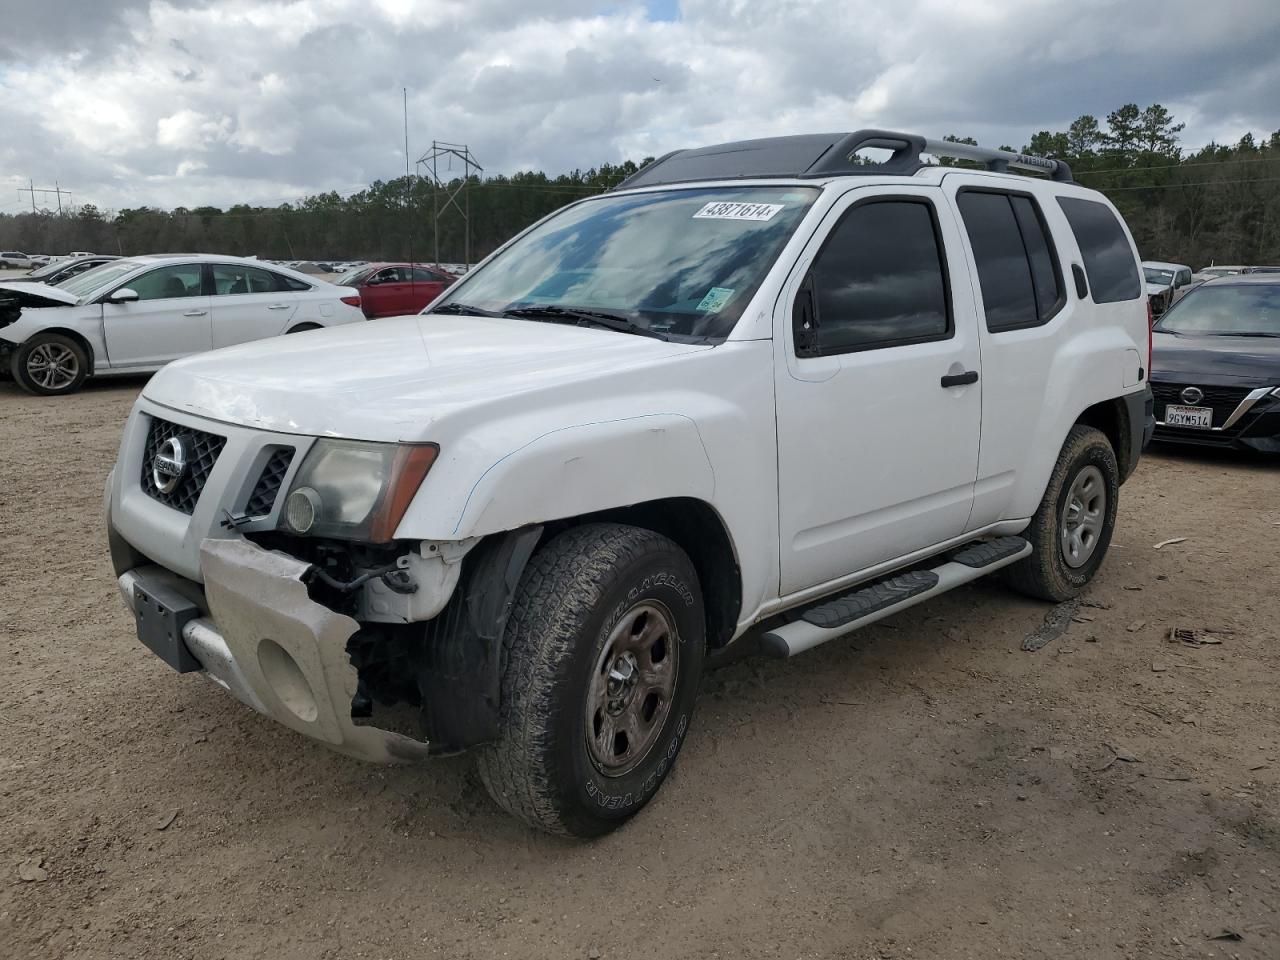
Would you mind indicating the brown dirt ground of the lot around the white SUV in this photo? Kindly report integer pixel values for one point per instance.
(925, 789)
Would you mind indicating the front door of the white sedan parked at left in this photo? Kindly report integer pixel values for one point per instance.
(168, 321)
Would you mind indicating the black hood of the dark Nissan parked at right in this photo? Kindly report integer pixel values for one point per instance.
(1237, 362)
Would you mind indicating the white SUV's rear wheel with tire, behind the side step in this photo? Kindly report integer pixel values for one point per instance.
(1073, 527)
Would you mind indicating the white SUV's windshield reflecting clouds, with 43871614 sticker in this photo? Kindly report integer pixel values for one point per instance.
(679, 263)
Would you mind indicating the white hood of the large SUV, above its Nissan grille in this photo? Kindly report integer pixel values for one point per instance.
(391, 380)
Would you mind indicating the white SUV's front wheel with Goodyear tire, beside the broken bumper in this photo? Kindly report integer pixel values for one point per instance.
(602, 659)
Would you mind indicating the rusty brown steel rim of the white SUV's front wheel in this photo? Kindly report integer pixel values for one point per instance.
(633, 685)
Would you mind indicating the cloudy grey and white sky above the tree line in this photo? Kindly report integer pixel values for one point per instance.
(218, 102)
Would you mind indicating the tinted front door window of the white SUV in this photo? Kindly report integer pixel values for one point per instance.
(877, 282)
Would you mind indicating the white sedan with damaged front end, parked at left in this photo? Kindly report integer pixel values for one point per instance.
(136, 316)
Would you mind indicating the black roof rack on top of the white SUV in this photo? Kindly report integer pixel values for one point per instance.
(828, 156)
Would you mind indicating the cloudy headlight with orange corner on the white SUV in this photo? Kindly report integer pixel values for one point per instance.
(356, 491)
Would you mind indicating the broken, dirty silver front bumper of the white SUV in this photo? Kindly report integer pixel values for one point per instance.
(267, 643)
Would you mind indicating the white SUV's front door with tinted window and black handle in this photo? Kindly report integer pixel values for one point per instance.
(877, 385)
